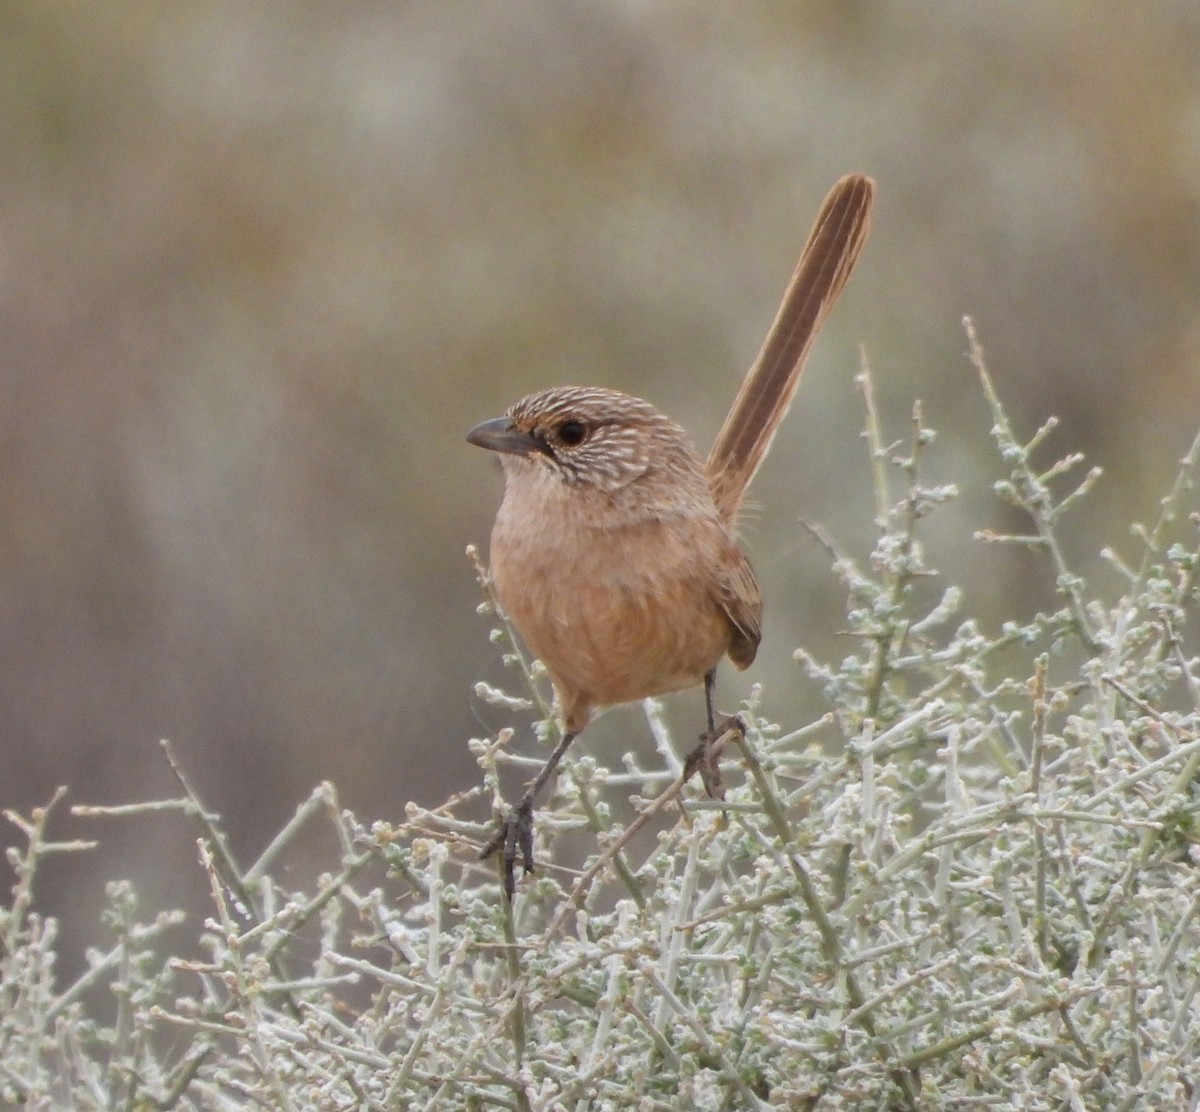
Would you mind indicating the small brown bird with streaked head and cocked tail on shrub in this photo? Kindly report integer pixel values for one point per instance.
(615, 549)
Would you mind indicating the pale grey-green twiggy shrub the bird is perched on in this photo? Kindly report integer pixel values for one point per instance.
(986, 899)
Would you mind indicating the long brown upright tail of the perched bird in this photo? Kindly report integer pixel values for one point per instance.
(826, 263)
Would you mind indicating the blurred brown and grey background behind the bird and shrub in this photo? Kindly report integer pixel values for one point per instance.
(262, 266)
